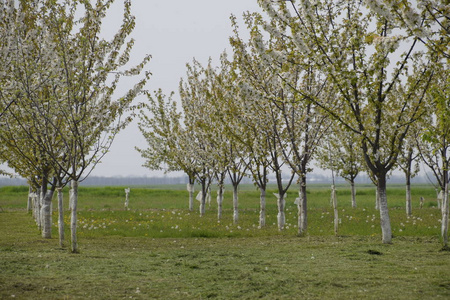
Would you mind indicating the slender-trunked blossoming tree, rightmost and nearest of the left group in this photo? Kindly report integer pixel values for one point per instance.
(92, 69)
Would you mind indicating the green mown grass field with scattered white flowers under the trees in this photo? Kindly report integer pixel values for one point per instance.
(158, 249)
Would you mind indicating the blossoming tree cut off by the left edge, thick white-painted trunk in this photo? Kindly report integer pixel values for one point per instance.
(26, 88)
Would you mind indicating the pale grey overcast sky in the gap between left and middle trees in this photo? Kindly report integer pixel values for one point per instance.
(173, 32)
